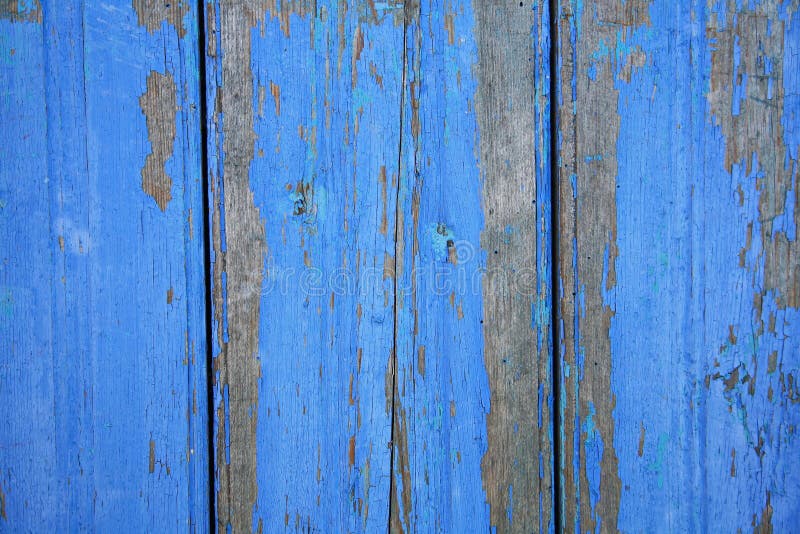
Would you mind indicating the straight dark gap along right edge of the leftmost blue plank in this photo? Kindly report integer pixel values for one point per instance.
(201, 60)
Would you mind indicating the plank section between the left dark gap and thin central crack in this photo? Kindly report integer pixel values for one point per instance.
(303, 146)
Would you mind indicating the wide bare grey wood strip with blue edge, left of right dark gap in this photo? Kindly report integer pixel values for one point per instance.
(513, 107)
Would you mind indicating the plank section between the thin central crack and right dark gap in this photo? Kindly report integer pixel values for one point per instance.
(472, 397)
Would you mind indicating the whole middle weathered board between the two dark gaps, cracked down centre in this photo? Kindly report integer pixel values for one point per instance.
(366, 368)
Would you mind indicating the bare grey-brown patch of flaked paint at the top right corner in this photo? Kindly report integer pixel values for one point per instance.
(748, 47)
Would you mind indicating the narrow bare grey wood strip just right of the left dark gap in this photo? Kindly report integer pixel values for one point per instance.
(238, 259)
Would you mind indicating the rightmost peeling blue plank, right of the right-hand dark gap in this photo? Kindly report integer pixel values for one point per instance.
(679, 268)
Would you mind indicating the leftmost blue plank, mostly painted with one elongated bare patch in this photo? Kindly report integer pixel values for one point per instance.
(102, 352)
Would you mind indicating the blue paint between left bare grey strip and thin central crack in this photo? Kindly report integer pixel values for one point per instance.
(326, 313)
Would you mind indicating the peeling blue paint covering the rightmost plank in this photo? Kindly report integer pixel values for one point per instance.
(681, 294)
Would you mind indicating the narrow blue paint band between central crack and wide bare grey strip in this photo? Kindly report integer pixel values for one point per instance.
(444, 312)
